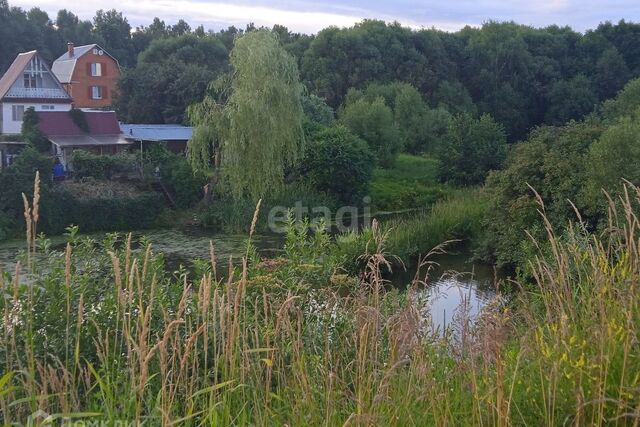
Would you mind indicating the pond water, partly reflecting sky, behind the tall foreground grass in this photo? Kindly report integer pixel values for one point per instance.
(451, 284)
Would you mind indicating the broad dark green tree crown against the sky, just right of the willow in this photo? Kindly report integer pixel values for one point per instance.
(338, 59)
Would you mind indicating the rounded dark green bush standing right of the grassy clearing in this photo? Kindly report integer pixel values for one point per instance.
(471, 148)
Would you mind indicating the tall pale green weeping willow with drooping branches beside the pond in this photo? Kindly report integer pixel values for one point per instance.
(254, 118)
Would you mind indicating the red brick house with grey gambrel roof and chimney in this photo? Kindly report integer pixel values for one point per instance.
(89, 74)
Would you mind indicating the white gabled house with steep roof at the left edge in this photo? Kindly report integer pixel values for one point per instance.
(29, 83)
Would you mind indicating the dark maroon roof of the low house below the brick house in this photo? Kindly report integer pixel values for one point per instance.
(60, 123)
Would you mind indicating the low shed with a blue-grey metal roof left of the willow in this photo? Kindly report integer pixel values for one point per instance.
(175, 136)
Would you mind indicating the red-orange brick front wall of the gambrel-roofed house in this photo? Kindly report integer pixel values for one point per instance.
(82, 81)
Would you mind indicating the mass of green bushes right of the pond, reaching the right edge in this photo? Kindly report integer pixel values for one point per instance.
(568, 167)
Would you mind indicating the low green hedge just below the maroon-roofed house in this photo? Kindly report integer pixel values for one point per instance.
(86, 164)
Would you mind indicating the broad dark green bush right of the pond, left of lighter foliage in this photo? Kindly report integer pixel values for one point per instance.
(551, 162)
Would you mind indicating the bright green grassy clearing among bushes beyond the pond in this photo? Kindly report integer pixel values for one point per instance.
(410, 183)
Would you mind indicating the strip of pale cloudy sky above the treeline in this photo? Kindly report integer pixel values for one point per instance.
(309, 16)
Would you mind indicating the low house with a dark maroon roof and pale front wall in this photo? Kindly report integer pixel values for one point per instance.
(103, 136)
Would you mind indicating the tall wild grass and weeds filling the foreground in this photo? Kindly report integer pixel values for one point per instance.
(102, 334)
